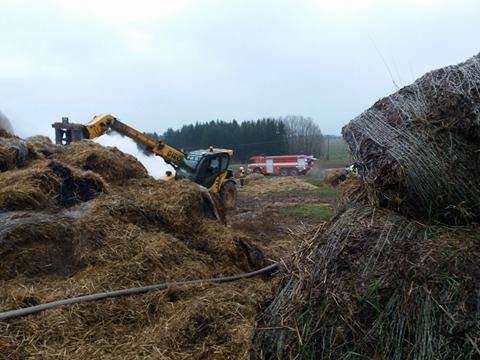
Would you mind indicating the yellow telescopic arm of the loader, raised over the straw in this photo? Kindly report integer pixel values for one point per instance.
(100, 124)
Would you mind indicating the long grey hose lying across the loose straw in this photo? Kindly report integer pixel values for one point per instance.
(139, 290)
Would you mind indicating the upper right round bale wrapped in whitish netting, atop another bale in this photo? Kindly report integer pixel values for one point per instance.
(419, 148)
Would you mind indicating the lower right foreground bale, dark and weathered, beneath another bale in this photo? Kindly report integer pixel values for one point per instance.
(377, 286)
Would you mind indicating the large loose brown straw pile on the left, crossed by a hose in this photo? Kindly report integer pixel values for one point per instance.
(67, 228)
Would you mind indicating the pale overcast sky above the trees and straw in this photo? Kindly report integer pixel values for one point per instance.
(163, 63)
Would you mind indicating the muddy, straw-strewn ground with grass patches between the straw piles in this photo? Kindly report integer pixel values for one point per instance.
(279, 211)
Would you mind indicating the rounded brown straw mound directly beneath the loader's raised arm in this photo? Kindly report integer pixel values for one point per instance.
(114, 166)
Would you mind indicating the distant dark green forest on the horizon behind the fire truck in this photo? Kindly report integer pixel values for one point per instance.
(268, 136)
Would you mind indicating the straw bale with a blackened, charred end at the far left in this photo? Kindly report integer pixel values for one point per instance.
(47, 185)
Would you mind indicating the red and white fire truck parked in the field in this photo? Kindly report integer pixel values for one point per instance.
(283, 165)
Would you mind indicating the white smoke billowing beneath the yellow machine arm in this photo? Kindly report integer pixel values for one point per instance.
(155, 165)
